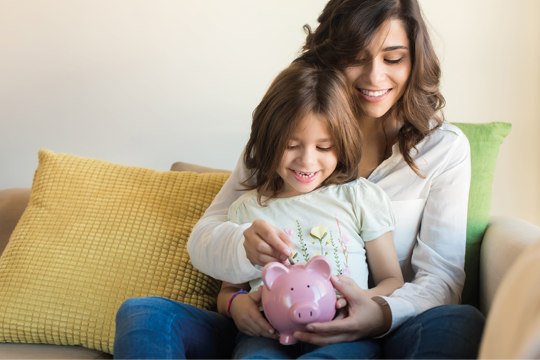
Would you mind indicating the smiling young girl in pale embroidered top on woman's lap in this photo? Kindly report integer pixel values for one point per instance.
(304, 152)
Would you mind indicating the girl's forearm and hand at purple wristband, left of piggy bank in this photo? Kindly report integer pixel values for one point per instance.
(244, 310)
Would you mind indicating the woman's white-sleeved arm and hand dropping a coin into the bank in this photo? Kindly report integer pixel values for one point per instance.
(217, 247)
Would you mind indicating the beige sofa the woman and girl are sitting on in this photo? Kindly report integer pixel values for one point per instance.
(504, 240)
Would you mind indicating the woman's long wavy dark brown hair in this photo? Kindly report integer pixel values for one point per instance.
(346, 27)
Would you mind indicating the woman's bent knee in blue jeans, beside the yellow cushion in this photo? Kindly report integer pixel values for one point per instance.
(158, 328)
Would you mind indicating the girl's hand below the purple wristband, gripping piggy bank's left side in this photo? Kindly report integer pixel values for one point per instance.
(247, 317)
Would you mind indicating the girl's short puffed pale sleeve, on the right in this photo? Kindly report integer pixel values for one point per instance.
(376, 212)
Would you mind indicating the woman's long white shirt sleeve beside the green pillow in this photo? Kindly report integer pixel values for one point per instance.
(438, 257)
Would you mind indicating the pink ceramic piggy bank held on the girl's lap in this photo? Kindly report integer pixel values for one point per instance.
(296, 295)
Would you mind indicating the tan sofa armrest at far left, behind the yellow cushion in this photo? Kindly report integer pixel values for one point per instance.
(13, 202)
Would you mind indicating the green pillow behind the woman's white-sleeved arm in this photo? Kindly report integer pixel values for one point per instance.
(485, 140)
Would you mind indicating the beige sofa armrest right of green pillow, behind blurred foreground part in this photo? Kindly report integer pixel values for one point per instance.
(504, 240)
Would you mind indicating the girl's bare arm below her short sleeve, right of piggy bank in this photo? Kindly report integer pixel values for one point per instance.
(383, 265)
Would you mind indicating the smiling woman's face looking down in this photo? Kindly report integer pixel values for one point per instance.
(382, 72)
